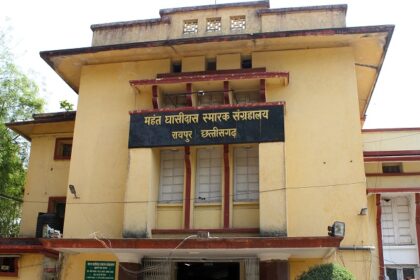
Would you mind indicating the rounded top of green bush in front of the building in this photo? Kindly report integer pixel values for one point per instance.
(327, 271)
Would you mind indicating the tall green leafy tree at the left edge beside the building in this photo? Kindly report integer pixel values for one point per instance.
(18, 100)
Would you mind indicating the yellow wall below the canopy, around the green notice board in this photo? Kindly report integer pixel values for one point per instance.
(74, 264)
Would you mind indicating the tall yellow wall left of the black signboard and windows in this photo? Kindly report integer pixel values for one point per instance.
(100, 156)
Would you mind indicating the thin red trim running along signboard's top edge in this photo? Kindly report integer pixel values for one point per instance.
(214, 107)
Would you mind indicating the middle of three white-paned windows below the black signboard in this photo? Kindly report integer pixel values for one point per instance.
(209, 174)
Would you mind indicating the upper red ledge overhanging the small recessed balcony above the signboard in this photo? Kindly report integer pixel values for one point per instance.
(211, 77)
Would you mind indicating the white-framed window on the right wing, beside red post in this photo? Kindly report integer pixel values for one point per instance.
(396, 221)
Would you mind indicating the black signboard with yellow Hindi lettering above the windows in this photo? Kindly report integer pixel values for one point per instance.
(213, 125)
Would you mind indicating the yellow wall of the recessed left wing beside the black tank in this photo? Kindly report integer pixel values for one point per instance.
(46, 177)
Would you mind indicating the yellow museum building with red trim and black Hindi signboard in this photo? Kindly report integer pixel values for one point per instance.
(216, 140)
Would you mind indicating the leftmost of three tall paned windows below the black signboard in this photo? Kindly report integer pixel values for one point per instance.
(171, 176)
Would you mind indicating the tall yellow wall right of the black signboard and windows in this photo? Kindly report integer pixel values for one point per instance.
(323, 147)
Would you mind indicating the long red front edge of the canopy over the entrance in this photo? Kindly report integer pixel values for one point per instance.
(213, 243)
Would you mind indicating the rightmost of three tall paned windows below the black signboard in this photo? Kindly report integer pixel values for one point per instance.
(246, 174)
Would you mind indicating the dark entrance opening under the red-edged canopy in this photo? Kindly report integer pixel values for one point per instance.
(207, 271)
